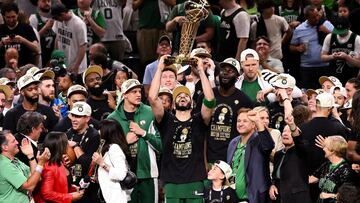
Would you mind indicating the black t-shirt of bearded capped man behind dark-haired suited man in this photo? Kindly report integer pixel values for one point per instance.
(13, 115)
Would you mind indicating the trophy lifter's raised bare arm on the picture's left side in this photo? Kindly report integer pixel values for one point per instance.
(153, 98)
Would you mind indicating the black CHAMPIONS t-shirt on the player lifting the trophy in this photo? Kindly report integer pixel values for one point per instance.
(183, 149)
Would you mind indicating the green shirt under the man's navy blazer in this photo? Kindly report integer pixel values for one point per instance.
(238, 164)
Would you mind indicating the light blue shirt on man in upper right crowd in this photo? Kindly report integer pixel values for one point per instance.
(306, 33)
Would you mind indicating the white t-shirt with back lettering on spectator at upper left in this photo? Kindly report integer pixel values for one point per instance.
(71, 35)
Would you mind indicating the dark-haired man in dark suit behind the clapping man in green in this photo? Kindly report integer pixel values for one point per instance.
(30, 126)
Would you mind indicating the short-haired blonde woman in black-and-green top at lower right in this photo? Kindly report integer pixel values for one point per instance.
(333, 173)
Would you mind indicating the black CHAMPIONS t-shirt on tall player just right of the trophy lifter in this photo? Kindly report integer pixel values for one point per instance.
(223, 122)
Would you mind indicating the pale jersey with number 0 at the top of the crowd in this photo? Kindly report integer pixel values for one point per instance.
(112, 11)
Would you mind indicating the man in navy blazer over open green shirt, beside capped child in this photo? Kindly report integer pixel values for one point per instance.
(248, 154)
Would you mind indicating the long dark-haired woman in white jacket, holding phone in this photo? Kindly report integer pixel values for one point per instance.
(112, 162)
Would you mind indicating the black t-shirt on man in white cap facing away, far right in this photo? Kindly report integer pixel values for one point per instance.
(319, 126)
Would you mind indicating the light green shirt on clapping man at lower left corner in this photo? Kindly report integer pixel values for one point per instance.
(12, 175)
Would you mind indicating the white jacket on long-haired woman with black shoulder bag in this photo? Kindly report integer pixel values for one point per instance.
(110, 181)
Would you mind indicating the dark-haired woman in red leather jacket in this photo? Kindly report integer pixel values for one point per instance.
(54, 182)
